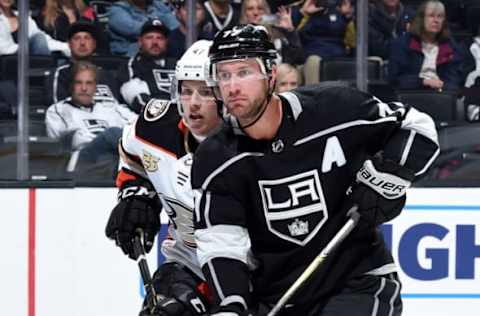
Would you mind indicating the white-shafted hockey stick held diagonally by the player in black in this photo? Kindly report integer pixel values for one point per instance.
(336, 240)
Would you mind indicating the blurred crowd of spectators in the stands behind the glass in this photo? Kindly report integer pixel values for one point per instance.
(95, 63)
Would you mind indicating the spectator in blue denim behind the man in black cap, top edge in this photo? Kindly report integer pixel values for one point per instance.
(126, 19)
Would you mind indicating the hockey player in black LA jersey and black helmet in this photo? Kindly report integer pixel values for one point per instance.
(274, 186)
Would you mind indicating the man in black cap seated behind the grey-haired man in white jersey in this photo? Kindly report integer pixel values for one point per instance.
(82, 39)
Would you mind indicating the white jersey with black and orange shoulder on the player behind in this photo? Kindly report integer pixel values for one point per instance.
(155, 148)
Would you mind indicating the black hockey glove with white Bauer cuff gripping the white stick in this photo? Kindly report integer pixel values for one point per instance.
(379, 191)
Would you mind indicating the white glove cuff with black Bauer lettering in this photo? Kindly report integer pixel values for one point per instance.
(387, 184)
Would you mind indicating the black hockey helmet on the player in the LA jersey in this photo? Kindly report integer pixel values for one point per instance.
(244, 41)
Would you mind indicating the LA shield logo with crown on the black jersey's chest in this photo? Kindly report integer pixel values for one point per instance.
(294, 206)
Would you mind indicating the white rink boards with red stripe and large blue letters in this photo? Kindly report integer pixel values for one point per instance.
(79, 272)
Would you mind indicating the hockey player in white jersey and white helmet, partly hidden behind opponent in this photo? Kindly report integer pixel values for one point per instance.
(156, 156)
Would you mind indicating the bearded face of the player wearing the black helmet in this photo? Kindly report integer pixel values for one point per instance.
(243, 87)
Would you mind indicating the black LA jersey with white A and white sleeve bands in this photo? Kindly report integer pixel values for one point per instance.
(280, 200)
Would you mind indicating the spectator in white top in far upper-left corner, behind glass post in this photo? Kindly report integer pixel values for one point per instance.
(40, 43)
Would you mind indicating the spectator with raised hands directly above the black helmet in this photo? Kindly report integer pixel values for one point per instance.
(280, 26)
